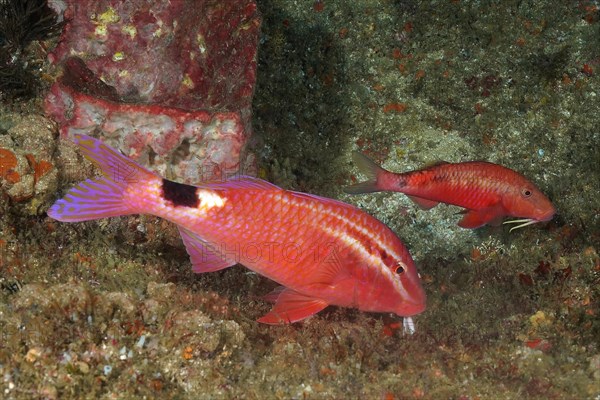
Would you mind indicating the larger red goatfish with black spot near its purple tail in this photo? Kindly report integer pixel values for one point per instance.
(321, 251)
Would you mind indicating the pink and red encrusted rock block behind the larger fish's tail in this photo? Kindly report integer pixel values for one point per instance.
(169, 83)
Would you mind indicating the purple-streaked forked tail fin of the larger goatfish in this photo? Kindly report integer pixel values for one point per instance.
(104, 196)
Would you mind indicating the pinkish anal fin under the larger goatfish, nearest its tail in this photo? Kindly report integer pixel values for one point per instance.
(204, 257)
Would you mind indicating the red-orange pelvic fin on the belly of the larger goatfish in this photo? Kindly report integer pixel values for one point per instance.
(292, 306)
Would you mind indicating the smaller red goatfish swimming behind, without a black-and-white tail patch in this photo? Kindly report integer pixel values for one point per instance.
(488, 192)
